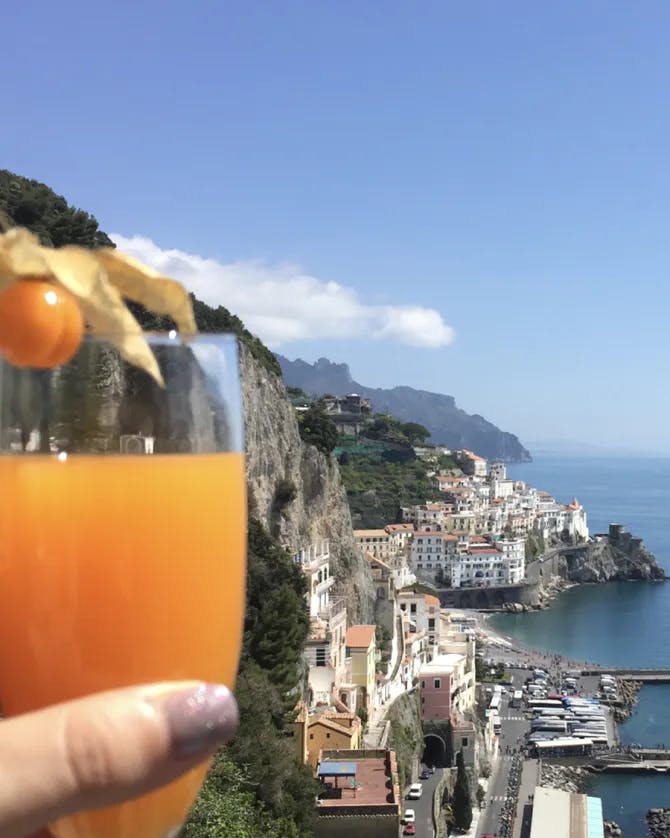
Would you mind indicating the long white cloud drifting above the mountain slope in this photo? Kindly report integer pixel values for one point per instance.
(281, 303)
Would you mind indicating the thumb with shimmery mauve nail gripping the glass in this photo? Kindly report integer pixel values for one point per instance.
(106, 748)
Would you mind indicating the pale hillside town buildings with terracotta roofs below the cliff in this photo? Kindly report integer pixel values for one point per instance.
(476, 535)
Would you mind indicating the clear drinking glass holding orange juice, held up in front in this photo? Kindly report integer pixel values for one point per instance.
(122, 538)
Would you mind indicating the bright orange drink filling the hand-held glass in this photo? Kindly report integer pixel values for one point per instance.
(118, 570)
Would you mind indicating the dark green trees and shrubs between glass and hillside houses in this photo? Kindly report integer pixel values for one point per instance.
(259, 767)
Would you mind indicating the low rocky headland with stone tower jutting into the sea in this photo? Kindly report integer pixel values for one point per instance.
(625, 558)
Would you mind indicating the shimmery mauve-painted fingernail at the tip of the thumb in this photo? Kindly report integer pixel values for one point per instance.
(200, 718)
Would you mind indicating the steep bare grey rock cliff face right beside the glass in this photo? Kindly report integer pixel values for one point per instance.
(295, 490)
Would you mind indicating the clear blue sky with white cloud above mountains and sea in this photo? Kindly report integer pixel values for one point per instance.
(355, 179)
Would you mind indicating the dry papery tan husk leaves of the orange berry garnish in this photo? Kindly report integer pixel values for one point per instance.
(100, 279)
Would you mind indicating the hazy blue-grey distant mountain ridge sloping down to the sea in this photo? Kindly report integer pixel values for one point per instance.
(447, 423)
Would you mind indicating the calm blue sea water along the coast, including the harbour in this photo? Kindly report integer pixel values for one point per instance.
(618, 623)
